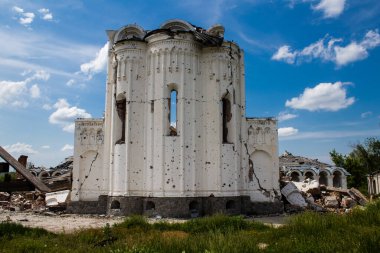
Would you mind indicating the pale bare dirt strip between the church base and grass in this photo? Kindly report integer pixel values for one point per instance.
(68, 223)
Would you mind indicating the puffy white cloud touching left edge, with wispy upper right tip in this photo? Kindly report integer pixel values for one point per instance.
(16, 93)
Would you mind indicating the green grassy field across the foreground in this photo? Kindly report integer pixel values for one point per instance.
(358, 231)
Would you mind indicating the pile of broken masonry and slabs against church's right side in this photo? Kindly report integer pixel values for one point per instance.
(299, 196)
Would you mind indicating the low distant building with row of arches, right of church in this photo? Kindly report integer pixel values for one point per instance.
(298, 168)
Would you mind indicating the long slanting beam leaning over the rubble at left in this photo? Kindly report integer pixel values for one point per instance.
(23, 171)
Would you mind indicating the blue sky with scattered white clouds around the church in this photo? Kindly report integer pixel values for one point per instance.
(314, 64)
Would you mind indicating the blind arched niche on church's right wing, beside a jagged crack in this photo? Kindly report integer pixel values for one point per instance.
(262, 168)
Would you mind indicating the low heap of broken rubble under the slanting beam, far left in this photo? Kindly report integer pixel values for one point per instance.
(22, 201)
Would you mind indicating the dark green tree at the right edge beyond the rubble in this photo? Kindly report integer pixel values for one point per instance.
(363, 160)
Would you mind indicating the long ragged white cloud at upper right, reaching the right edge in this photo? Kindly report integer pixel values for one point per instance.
(327, 49)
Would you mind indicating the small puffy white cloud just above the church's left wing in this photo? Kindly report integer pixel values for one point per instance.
(64, 115)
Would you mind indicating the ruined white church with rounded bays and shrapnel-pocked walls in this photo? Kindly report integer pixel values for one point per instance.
(175, 140)
